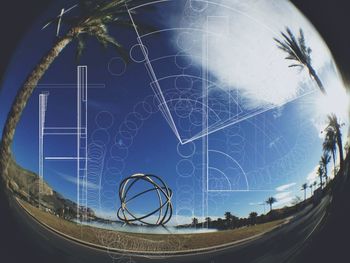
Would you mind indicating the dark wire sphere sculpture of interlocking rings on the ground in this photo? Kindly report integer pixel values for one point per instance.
(165, 210)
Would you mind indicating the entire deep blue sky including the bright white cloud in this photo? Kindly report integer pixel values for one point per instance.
(264, 118)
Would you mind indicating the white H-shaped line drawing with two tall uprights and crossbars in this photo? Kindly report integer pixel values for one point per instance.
(80, 132)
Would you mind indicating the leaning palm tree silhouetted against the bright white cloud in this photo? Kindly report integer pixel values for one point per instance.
(298, 52)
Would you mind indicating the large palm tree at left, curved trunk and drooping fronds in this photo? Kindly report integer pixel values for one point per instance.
(94, 19)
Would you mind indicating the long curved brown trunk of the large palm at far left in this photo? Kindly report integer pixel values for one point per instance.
(23, 96)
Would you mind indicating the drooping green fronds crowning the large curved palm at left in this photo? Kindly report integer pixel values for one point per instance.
(94, 17)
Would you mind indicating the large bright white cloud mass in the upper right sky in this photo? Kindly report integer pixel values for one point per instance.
(246, 57)
